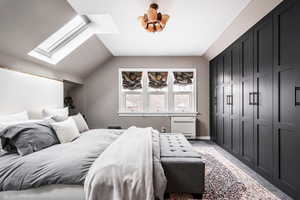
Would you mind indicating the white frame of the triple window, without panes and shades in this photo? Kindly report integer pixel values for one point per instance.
(170, 94)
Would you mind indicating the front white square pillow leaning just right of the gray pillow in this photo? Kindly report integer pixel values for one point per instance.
(66, 131)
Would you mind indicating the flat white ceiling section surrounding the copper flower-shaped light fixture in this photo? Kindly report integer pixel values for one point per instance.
(193, 26)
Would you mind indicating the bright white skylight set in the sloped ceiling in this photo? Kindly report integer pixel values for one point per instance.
(64, 41)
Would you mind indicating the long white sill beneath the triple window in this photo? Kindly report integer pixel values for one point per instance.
(130, 114)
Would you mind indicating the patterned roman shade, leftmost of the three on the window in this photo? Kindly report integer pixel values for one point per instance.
(132, 80)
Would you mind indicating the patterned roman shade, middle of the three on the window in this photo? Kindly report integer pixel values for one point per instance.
(158, 80)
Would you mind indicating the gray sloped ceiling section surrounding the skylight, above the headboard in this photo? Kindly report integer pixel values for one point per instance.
(24, 24)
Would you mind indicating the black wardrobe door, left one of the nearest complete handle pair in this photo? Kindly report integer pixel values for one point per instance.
(247, 98)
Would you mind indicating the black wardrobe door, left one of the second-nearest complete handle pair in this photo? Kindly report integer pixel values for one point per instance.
(227, 99)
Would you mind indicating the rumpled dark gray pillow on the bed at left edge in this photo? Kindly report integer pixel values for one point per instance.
(28, 137)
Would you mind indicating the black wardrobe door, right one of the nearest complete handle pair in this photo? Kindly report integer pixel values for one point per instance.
(263, 93)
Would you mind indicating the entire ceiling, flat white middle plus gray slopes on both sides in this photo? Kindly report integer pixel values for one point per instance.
(193, 29)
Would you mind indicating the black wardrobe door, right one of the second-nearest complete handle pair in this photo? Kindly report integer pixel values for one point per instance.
(235, 87)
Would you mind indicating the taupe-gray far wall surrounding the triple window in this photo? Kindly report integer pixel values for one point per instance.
(98, 98)
